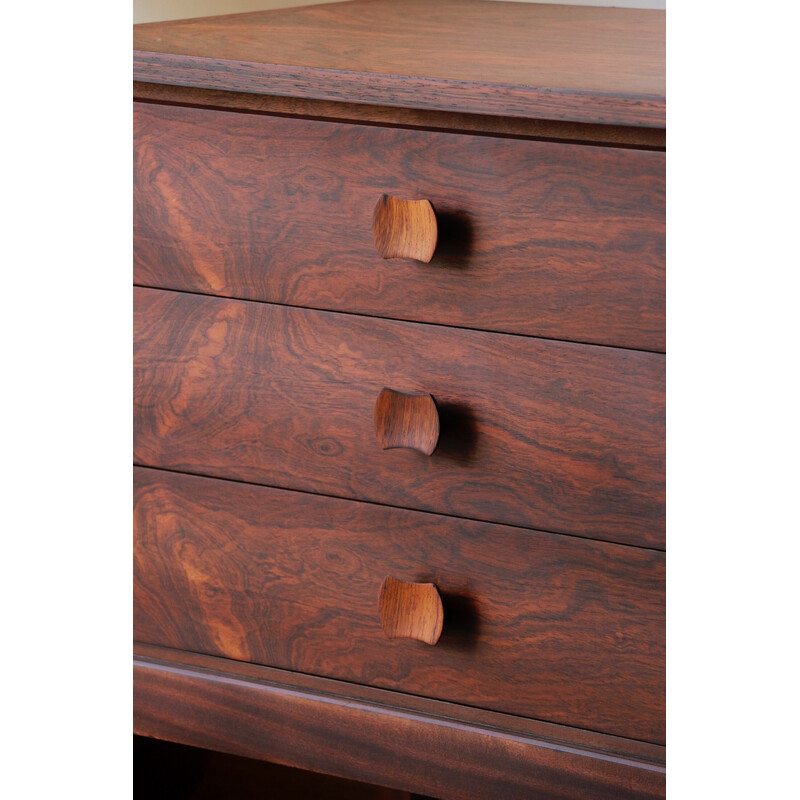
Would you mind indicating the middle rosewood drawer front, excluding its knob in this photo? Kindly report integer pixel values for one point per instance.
(549, 435)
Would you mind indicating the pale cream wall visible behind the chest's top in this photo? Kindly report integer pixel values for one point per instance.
(155, 10)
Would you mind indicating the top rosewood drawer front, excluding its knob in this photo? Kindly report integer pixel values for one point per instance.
(554, 240)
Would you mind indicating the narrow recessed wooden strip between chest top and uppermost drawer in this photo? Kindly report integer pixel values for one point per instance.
(622, 135)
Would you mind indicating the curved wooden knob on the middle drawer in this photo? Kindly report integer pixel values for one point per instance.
(406, 420)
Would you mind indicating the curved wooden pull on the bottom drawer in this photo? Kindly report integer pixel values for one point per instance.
(410, 610)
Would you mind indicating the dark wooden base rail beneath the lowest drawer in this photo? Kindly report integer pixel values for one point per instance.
(234, 708)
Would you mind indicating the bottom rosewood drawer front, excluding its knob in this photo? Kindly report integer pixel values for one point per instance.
(535, 624)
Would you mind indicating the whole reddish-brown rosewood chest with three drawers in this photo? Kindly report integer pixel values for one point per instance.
(399, 363)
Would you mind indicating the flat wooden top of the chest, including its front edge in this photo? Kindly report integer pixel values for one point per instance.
(597, 65)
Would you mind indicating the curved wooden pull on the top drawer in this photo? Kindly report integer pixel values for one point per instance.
(404, 228)
